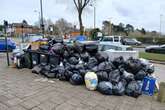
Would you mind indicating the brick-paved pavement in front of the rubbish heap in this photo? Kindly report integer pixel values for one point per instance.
(23, 90)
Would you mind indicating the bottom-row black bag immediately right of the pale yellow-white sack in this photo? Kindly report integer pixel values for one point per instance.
(105, 88)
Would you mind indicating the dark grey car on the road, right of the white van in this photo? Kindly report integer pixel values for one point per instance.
(130, 41)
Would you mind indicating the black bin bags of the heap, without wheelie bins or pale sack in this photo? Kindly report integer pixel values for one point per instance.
(117, 77)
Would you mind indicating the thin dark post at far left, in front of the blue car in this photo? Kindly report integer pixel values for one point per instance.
(7, 52)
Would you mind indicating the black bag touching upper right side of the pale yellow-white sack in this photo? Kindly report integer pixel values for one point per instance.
(102, 76)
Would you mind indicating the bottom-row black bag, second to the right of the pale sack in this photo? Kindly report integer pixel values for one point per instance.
(119, 89)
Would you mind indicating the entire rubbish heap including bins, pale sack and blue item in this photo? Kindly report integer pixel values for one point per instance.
(82, 63)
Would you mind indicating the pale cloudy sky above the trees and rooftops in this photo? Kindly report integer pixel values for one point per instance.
(141, 13)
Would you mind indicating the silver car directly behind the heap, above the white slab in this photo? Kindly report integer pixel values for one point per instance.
(112, 46)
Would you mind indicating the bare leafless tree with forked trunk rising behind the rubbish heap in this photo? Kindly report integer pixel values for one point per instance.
(80, 6)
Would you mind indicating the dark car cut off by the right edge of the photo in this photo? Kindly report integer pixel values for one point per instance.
(156, 49)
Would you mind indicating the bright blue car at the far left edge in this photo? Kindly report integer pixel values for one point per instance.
(11, 45)
